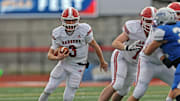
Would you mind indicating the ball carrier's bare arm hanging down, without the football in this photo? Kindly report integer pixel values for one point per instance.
(103, 63)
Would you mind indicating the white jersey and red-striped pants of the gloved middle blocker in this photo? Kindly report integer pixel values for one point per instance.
(124, 63)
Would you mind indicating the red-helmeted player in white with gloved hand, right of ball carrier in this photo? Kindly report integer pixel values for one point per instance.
(124, 58)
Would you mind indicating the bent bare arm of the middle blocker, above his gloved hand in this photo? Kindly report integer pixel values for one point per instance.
(118, 42)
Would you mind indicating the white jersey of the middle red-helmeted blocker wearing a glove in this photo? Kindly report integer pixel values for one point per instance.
(135, 32)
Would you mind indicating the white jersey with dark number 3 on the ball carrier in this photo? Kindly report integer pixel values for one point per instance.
(76, 42)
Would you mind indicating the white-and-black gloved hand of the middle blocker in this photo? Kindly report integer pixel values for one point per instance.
(134, 46)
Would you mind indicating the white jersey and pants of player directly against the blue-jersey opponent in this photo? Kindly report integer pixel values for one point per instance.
(150, 67)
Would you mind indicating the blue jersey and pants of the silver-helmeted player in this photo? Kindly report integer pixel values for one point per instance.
(172, 47)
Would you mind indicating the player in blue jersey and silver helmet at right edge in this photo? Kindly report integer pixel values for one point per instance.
(167, 37)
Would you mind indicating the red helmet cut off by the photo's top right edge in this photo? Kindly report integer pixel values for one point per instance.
(176, 7)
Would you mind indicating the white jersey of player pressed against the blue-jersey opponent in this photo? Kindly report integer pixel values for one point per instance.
(155, 56)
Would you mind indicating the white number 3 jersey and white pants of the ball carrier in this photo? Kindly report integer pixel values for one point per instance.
(69, 67)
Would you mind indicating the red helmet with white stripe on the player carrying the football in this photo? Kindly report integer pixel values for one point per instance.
(70, 18)
